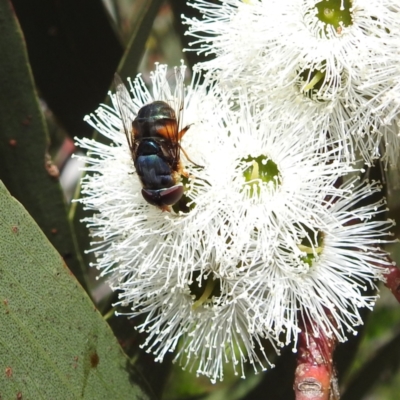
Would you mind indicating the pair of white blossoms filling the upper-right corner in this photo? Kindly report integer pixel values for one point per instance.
(329, 62)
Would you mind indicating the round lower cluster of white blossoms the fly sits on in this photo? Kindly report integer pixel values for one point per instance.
(226, 267)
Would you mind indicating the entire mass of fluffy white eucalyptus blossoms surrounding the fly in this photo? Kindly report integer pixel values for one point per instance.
(275, 226)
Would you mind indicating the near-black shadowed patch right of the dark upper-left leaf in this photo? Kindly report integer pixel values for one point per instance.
(73, 52)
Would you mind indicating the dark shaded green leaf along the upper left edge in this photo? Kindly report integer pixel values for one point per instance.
(25, 167)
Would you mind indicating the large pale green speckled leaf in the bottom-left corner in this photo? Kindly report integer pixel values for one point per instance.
(53, 342)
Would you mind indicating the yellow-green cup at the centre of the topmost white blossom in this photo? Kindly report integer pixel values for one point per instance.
(335, 12)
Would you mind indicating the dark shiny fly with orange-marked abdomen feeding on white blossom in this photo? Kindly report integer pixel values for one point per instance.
(154, 140)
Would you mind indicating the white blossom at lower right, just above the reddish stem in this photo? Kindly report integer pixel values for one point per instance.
(336, 272)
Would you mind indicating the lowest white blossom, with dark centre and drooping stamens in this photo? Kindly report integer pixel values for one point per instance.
(210, 316)
